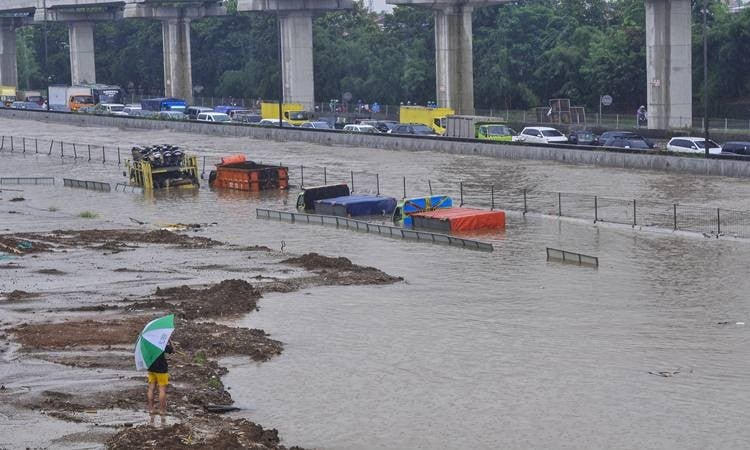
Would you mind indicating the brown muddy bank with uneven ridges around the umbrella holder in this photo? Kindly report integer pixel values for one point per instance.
(74, 338)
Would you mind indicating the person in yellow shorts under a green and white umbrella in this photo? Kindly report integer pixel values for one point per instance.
(152, 344)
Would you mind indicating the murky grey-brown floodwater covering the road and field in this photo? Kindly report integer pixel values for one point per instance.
(472, 350)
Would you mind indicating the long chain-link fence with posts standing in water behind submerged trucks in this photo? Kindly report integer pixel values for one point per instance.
(633, 212)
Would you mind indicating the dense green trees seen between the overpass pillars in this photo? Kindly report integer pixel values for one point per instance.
(525, 53)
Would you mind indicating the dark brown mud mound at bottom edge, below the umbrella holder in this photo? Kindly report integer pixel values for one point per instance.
(199, 432)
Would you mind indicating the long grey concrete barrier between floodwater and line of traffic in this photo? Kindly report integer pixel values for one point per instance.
(738, 168)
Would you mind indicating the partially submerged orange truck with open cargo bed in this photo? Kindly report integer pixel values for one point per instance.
(236, 172)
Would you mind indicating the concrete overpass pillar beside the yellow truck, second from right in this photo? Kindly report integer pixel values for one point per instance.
(453, 58)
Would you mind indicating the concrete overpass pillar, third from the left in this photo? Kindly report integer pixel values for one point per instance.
(178, 77)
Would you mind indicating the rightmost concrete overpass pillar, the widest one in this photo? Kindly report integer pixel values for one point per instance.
(668, 64)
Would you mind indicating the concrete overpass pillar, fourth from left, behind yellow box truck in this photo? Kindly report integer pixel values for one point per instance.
(296, 54)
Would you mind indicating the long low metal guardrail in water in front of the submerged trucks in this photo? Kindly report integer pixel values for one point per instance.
(367, 227)
